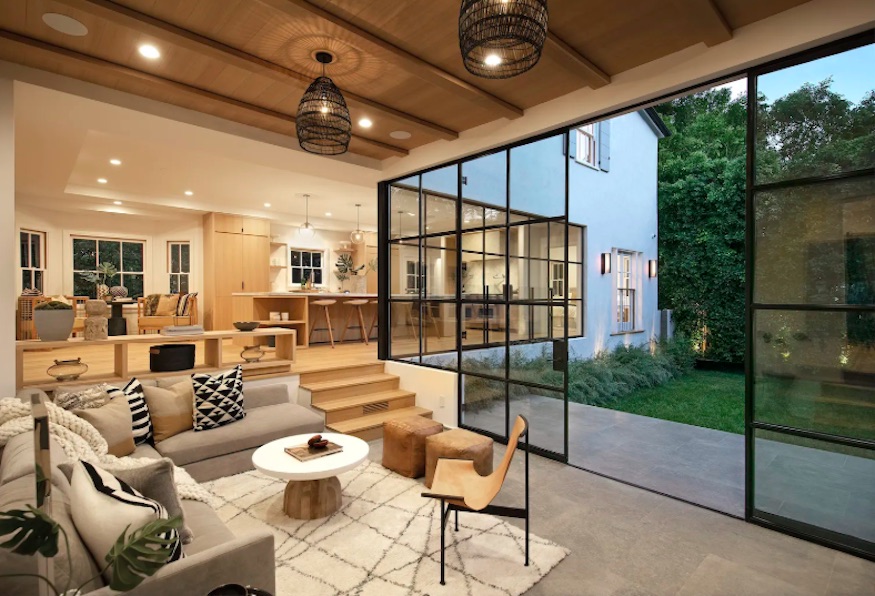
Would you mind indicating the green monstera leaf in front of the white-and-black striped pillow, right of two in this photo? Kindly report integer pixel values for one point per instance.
(138, 556)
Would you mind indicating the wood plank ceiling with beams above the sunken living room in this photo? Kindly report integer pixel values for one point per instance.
(397, 63)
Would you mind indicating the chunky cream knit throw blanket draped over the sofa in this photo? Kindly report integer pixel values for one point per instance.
(80, 440)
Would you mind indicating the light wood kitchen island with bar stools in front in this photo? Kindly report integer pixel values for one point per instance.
(257, 306)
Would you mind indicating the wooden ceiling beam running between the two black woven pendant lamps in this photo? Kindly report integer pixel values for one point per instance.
(401, 58)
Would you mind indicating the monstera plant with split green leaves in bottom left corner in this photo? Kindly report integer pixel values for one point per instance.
(134, 556)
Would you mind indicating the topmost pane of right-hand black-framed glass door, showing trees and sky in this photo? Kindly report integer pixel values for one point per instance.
(815, 118)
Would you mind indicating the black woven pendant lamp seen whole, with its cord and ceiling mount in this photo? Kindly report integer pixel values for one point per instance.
(323, 122)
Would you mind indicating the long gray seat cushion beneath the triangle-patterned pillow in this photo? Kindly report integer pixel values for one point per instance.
(260, 426)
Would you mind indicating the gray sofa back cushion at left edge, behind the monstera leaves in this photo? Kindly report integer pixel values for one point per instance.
(19, 493)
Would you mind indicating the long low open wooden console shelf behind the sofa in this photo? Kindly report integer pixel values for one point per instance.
(279, 365)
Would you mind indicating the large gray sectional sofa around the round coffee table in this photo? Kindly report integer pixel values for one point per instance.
(215, 556)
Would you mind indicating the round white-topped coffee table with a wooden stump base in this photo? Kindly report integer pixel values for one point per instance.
(313, 489)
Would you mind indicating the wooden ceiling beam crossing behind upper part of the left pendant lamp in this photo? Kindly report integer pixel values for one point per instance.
(127, 17)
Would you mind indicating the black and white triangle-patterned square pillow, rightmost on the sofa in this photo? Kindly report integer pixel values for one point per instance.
(218, 399)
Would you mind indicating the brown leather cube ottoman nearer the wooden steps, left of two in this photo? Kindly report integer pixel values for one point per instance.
(404, 444)
